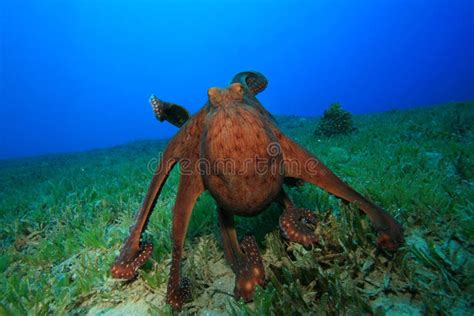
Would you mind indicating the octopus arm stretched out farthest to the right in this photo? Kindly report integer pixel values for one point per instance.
(301, 164)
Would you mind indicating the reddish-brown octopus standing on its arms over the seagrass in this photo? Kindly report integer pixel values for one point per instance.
(233, 148)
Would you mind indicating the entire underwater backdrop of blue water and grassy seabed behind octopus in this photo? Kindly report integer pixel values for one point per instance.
(78, 140)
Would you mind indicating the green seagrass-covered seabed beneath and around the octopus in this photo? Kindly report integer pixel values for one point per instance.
(63, 218)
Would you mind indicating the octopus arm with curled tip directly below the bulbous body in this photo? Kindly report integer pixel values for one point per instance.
(244, 259)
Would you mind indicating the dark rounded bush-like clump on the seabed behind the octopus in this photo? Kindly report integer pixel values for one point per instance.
(335, 121)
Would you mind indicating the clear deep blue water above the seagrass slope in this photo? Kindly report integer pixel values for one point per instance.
(77, 74)
